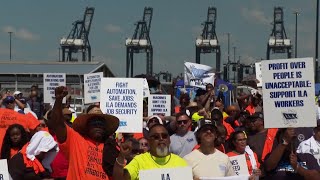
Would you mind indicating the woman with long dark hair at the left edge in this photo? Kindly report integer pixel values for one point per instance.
(14, 139)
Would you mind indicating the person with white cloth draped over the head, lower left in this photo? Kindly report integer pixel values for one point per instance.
(34, 159)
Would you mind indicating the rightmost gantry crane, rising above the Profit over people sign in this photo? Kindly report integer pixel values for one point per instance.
(278, 42)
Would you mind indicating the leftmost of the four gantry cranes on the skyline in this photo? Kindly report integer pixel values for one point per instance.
(78, 39)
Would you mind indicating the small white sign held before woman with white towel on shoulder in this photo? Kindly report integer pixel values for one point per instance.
(239, 164)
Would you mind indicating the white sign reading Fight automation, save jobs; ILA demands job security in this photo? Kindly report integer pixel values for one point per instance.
(123, 98)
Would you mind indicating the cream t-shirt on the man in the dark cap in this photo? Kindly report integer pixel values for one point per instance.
(212, 165)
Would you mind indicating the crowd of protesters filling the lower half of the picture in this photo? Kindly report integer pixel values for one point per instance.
(43, 142)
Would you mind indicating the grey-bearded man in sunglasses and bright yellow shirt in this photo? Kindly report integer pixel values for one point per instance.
(158, 157)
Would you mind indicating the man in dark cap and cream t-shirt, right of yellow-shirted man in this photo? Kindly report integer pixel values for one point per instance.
(207, 161)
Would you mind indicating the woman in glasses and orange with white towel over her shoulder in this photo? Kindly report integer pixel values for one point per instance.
(238, 145)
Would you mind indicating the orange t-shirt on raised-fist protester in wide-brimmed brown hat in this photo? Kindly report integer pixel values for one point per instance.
(85, 157)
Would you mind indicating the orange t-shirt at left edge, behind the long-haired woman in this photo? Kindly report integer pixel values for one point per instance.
(9, 117)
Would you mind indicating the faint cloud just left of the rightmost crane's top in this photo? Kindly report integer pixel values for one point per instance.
(255, 15)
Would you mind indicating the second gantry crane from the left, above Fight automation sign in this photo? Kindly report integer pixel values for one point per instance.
(140, 42)
